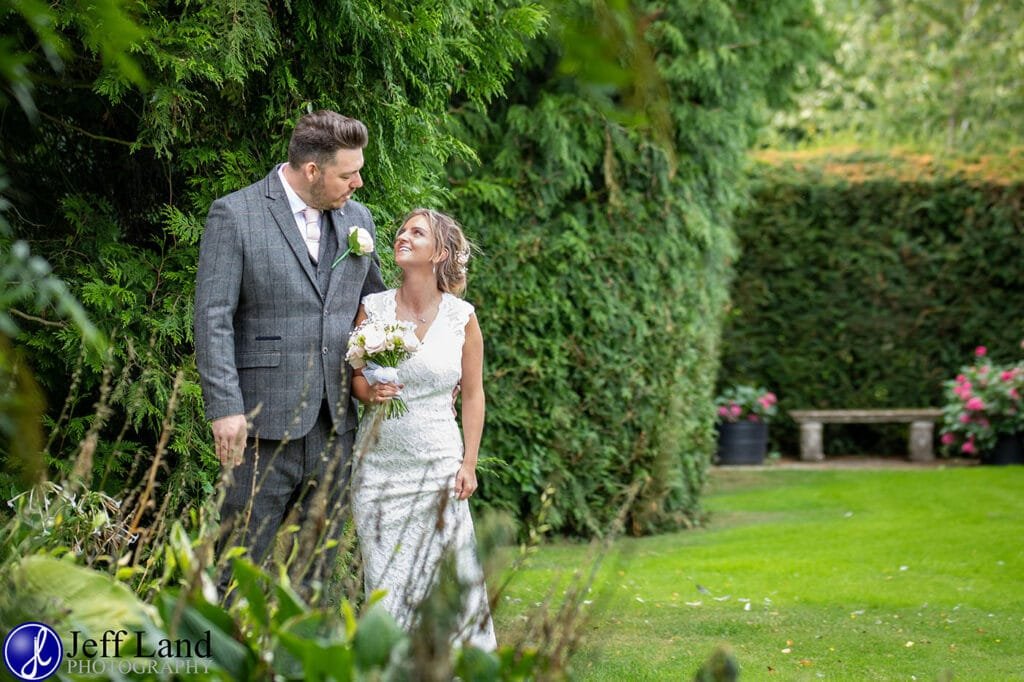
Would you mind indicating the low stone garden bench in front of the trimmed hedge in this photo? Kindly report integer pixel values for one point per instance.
(922, 423)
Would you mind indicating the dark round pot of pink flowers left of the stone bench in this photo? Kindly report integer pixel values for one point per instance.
(744, 413)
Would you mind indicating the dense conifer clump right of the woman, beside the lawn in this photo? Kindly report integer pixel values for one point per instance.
(607, 250)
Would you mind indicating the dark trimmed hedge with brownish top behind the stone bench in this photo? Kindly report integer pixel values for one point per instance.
(867, 280)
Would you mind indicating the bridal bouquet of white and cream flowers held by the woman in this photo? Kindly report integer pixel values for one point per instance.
(378, 349)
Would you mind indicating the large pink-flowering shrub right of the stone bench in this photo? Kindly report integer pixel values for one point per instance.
(984, 402)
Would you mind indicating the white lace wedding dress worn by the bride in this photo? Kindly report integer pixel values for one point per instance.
(406, 511)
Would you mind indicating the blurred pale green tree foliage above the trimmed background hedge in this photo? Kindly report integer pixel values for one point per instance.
(941, 74)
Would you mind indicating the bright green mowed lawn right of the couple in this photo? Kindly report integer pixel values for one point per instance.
(835, 575)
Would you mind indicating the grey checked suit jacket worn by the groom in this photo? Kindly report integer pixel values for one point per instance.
(267, 336)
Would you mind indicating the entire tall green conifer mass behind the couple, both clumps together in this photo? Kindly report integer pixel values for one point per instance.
(606, 235)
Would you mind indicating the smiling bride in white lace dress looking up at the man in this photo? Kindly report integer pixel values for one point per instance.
(413, 479)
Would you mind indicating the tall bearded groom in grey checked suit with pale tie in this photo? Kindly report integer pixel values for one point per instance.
(274, 311)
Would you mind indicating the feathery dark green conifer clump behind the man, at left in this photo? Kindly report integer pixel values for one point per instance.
(113, 183)
